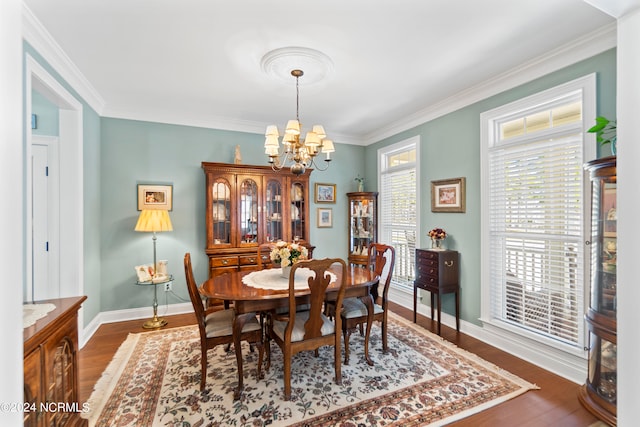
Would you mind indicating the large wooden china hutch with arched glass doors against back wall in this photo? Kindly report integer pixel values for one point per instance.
(249, 205)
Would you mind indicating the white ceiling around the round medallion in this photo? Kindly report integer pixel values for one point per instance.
(198, 61)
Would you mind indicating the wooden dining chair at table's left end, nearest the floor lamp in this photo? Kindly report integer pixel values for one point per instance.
(216, 327)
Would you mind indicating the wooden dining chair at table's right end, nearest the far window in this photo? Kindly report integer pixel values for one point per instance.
(381, 259)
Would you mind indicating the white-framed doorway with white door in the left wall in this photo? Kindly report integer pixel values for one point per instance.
(62, 218)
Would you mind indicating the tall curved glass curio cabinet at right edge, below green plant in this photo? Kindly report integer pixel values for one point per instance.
(599, 393)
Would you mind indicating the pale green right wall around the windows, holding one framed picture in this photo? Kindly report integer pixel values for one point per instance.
(450, 147)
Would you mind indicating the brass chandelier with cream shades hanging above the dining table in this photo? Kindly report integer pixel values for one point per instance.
(299, 154)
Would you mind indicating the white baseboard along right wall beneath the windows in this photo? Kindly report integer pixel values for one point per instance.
(566, 365)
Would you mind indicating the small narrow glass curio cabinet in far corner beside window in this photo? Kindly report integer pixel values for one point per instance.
(363, 225)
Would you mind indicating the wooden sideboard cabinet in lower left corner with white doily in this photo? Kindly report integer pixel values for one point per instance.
(51, 367)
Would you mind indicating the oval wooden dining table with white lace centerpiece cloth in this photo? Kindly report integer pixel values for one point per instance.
(246, 299)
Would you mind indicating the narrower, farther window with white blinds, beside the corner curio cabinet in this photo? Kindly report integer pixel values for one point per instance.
(398, 206)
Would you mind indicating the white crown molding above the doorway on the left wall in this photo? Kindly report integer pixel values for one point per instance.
(34, 33)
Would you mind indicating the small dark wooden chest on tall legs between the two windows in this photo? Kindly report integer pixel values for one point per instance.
(437, 271)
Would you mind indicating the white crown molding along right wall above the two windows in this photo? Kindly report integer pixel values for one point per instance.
(598, 41)
